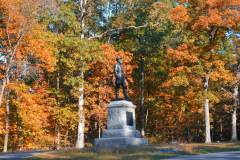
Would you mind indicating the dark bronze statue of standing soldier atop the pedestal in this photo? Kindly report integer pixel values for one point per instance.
(118, 71)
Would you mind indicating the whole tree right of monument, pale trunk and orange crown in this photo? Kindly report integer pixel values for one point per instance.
(207, 22)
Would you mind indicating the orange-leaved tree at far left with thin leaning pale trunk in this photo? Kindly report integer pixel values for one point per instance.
(19, 29)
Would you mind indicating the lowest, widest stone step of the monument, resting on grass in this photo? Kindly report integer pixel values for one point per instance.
(119, 142)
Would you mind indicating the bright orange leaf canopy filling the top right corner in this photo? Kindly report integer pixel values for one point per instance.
(212, 13)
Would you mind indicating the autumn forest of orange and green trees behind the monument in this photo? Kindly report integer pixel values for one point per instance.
(181, 58)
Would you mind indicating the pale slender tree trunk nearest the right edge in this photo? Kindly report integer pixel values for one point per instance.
(235, 103)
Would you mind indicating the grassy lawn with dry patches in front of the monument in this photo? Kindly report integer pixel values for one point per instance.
(137, 153)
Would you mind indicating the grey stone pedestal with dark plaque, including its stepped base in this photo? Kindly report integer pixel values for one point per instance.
(121, 126)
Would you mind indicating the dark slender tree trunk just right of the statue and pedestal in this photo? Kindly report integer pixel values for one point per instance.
(142, 98)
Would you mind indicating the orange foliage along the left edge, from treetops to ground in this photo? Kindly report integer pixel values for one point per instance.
(25, 55)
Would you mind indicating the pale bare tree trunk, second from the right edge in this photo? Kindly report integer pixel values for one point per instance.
(206, 109)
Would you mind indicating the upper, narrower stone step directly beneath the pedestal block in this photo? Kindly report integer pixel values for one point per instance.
(121, 133)
